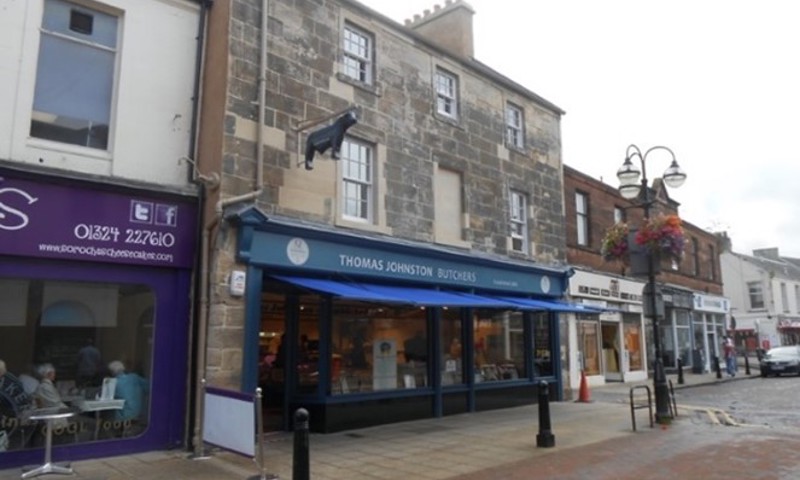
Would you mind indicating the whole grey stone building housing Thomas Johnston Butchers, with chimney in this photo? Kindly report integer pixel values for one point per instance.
(368, 289)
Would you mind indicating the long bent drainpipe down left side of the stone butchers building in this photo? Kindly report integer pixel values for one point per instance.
(208, 242)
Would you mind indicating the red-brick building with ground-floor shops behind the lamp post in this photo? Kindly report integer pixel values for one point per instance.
(617, 346)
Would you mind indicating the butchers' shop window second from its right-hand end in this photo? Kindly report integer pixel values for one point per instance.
(499, 349)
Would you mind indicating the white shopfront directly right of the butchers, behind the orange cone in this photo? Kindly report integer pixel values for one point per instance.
(606, 347)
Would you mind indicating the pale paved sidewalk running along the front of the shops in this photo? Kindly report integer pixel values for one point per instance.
(448, 447)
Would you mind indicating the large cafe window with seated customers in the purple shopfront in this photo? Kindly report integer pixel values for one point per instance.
(77, 344)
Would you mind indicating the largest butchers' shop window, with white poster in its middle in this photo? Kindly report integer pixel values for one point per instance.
(378, 347)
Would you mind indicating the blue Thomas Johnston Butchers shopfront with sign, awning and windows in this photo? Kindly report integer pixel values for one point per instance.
(362, 331)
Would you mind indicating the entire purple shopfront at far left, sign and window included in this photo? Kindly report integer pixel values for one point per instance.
(90, 274)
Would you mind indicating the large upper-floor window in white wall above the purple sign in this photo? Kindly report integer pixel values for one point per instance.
(74, 75)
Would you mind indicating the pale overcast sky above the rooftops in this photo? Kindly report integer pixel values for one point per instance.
(717, 81)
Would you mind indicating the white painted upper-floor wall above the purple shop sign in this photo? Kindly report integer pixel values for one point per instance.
(152, 107)
